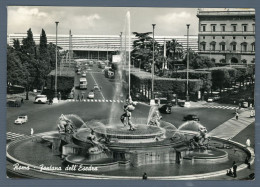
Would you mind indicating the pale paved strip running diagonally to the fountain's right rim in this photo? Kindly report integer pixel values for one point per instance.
(232, 127)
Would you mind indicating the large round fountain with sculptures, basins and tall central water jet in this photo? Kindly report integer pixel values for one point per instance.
(124, 145)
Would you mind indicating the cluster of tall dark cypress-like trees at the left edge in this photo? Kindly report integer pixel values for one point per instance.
(29, 64)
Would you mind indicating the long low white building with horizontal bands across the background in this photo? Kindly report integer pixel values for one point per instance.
(95, 46)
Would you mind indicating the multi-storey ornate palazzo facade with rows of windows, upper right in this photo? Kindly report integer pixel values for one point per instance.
(227, 35)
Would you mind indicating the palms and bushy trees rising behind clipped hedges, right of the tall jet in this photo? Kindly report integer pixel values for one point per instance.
(172, 54)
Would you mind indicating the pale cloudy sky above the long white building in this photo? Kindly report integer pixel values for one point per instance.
(100, 20)
